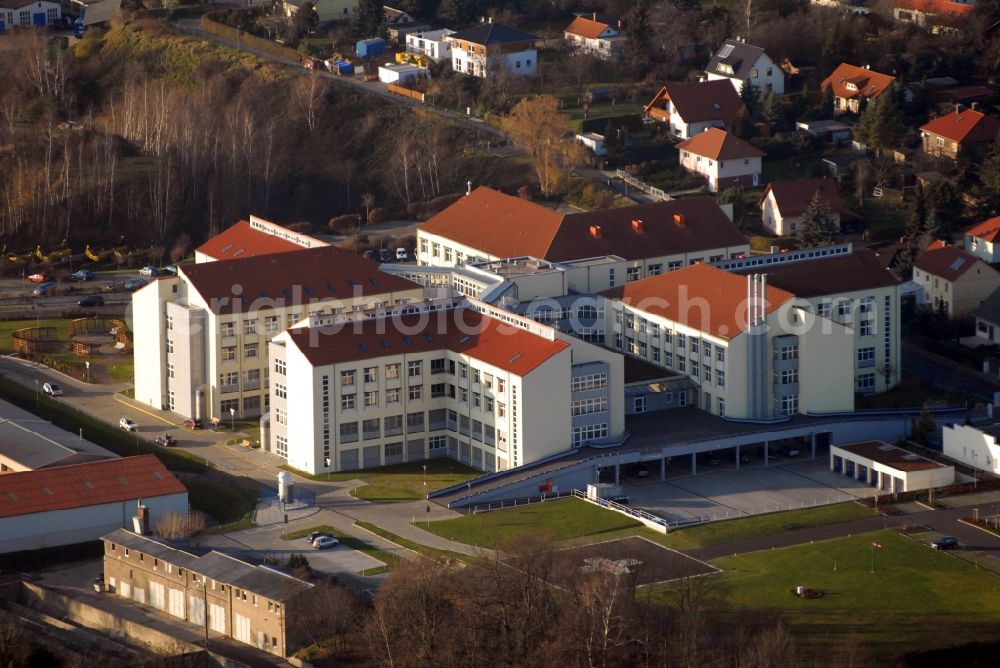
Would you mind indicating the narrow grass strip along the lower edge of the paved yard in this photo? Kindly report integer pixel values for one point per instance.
(717, 533)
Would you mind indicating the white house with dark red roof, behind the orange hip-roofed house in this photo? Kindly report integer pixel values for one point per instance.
(691, 108)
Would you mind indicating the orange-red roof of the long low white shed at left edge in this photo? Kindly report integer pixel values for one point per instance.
(80, 485)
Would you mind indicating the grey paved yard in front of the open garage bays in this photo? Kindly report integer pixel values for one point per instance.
(748, 491)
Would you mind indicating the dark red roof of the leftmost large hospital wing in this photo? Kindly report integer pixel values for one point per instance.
(303, 276)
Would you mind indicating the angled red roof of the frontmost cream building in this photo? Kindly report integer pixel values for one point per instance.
(460, 330)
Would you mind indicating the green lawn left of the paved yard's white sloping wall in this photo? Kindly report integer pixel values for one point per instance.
(563, 519)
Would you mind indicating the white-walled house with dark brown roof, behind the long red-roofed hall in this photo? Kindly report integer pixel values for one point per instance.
(784, 202)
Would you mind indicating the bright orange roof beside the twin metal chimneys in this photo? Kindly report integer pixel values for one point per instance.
(680, 296)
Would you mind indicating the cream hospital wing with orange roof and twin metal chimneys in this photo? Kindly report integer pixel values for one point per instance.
(753, 351)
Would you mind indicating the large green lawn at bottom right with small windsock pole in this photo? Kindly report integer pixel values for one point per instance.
(915, 598)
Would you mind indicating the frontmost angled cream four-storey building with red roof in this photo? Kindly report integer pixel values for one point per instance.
(455, 378)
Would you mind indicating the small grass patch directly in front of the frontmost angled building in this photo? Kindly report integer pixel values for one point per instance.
(401, 482)
